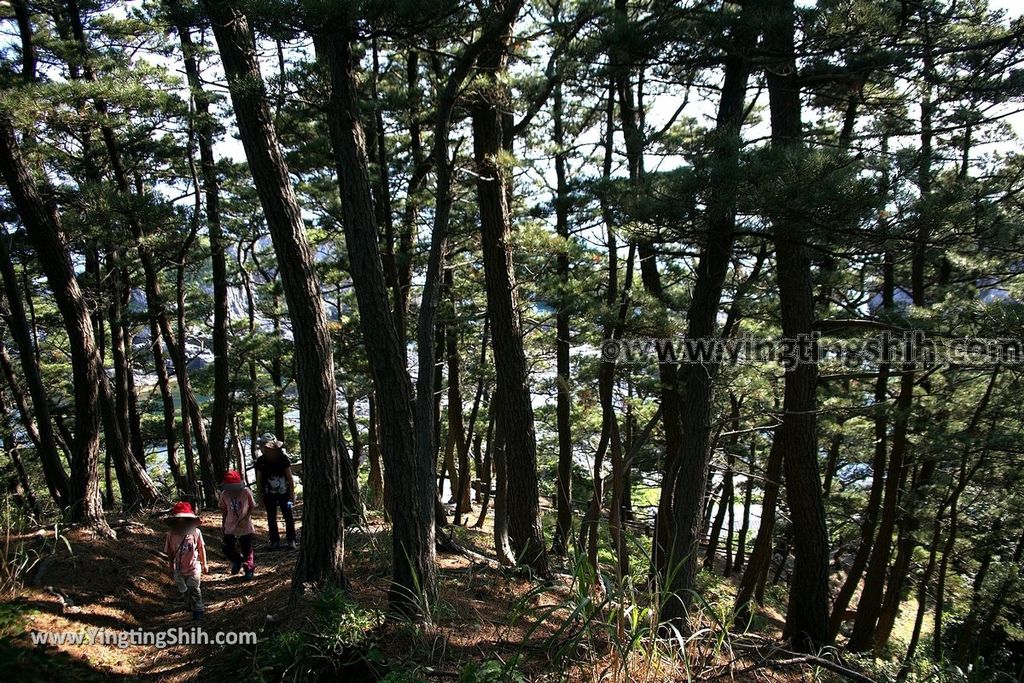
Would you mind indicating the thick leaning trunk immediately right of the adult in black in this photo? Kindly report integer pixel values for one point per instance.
(322, 554)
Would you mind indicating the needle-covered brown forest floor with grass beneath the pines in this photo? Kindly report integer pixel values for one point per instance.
(487, 619)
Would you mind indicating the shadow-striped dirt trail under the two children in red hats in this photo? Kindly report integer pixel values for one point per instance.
(122, 585)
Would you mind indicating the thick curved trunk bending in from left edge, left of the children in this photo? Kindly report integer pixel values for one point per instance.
(44, 228)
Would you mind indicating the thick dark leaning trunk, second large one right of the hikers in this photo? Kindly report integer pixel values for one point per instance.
(410, 478)
